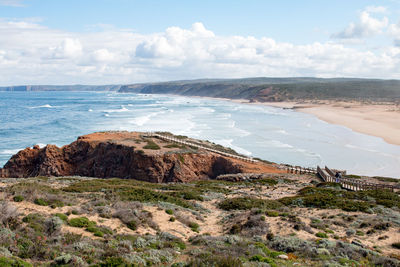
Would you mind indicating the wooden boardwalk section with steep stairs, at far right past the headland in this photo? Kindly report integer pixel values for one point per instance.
(328, 175)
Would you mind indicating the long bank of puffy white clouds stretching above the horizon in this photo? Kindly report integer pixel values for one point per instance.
(33, 54)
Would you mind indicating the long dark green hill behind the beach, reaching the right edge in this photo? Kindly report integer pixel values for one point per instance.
(278, 89)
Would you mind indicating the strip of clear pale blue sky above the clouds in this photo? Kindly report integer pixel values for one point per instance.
(298, 22)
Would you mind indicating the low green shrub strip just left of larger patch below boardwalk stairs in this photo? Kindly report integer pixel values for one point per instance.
(242, 203)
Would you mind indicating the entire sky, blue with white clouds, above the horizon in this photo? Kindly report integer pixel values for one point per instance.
(129, 41)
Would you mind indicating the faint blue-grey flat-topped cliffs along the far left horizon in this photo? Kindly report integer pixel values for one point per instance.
(61, 88)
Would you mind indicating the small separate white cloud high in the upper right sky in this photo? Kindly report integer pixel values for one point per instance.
(367, 25)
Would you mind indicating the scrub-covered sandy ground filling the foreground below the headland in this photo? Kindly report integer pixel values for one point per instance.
(250, 237)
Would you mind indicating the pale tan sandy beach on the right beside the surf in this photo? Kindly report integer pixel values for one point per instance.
(381, 120)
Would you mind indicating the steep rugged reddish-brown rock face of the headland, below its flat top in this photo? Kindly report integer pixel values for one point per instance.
(106, 159)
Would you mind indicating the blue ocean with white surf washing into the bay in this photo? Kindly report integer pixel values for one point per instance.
(274, 134)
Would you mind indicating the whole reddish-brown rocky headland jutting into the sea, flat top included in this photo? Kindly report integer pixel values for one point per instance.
(130, 155)
